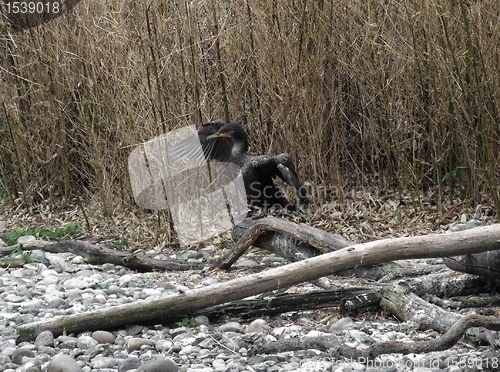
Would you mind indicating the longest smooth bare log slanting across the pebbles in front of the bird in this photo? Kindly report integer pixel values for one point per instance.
(470, 241)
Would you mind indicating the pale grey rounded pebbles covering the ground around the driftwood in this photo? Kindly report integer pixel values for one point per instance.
(68, 286)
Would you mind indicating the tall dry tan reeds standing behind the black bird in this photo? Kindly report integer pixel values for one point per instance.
(361, 93)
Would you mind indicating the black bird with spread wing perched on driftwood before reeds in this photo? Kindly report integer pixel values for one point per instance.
(227, 142)
